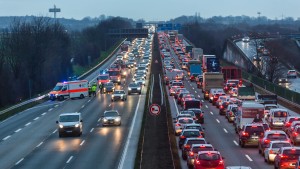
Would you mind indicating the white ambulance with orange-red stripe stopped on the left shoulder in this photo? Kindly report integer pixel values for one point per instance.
(69, 89)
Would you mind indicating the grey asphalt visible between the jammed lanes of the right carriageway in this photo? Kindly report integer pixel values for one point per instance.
(219, 132)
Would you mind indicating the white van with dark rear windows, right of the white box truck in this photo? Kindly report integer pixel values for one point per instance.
(277, 117)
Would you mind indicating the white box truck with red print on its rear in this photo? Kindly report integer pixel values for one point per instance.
(247, 112)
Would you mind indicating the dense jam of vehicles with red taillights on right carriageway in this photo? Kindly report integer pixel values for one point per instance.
(193, 79)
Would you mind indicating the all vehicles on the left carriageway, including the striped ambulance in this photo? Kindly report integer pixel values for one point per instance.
(129, 70)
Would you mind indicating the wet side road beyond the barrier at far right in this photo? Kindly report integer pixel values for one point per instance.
(250, 50)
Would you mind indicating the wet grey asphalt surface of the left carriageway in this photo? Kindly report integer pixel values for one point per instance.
(30, 139)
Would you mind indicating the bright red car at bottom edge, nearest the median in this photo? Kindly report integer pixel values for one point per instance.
(209, 159)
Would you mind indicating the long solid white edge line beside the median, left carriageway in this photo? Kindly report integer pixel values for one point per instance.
(124, 153)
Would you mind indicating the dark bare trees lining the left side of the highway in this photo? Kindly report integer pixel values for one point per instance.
(35, 55)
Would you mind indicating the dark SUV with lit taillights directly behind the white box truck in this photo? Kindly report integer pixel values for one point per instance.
(250, 134)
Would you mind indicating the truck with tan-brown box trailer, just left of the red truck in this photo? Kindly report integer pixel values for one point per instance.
(211, 80)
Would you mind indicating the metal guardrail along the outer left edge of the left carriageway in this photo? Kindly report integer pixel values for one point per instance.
(80, 77)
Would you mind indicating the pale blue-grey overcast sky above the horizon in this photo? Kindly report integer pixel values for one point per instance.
(152, 10)
